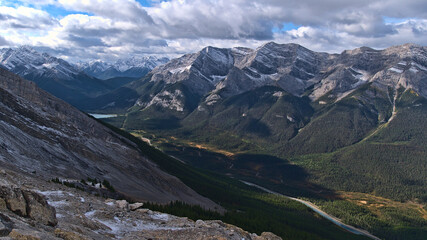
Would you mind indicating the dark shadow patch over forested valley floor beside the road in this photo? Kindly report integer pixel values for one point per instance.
(275, 173)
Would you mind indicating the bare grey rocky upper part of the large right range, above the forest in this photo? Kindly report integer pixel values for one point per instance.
(196, 84)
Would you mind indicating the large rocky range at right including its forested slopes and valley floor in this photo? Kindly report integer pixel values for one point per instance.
(286, 101)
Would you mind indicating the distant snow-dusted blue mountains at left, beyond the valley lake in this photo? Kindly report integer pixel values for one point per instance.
(73, 83)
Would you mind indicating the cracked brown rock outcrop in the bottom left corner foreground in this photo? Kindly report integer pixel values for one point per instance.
(28, 204)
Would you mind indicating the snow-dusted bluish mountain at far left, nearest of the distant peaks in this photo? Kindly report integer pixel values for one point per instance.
(52, 74)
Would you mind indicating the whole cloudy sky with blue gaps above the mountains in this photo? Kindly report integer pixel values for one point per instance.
(85, 30)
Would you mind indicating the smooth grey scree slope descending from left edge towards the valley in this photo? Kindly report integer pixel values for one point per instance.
(42, 135)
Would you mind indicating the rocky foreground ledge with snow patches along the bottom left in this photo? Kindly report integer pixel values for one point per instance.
(34, 209)
